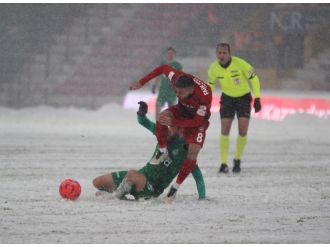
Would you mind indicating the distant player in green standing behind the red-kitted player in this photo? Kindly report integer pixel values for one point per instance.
(166, 93)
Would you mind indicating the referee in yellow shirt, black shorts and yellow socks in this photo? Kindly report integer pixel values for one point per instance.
(233, 75)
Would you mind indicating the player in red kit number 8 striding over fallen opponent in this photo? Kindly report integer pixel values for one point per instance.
(191, 115)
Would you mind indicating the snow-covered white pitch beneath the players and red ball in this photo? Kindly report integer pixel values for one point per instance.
(281, 196)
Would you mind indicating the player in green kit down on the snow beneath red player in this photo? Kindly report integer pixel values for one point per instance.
(151, 180)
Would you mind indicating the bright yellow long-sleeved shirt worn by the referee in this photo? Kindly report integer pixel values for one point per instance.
(234, 79)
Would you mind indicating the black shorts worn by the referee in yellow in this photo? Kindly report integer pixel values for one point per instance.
(241, 106)
